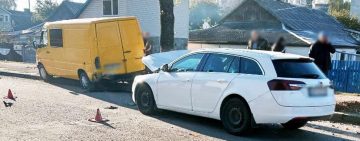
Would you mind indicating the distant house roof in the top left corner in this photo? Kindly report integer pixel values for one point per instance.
(21, 19)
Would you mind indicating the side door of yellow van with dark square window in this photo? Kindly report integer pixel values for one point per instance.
(57, 52)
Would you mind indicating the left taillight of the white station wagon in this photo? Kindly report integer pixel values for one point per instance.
(285, 85)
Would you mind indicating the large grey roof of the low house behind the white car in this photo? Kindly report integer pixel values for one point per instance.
(300, 22)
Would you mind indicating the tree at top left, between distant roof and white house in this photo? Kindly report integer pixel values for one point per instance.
(43, 9)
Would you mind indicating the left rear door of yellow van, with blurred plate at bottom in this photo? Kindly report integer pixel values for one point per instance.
(110, 49)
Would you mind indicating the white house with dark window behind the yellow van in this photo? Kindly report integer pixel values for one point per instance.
(148, 14)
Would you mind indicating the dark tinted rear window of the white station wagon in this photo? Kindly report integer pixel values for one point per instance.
(298, 69)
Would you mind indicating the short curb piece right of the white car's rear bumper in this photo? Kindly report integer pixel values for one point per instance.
(346, 117)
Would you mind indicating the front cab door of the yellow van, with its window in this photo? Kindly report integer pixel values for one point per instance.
(43, 53)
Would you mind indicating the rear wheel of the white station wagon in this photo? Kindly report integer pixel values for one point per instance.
(236, 117)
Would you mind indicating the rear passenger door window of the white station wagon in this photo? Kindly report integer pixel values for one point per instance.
(218, 63)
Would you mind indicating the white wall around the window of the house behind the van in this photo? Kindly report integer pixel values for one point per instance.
(148, 14)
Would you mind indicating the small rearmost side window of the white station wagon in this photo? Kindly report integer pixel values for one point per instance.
(249, 66)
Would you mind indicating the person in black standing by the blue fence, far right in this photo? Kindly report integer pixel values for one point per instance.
(321, 50)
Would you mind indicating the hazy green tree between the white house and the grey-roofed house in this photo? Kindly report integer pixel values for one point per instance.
(204, 11)
